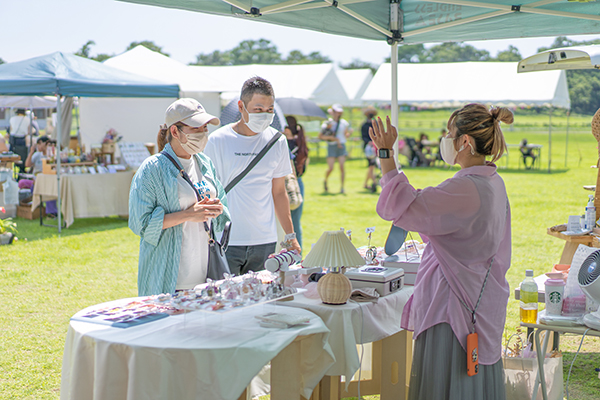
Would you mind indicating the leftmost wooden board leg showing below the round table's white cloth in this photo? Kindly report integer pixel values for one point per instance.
(285, 373)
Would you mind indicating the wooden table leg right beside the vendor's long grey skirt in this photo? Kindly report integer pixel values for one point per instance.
(396, 361)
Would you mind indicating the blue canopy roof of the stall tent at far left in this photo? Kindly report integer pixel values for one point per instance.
(70, 75)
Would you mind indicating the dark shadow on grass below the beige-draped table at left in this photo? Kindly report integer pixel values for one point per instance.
(31, 229)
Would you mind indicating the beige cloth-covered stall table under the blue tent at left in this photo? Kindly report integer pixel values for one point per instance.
(86, 195)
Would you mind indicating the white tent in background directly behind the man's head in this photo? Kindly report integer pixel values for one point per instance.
(316, 82)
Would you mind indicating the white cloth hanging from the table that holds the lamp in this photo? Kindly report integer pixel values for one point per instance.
(354, 323)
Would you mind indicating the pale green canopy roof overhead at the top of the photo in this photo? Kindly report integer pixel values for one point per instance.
(420, 22)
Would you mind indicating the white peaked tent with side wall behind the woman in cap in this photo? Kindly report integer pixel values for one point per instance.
(137, 119)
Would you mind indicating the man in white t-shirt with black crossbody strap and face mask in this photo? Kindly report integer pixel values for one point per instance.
(260, 195)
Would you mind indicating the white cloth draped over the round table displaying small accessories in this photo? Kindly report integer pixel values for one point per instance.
(192, 356)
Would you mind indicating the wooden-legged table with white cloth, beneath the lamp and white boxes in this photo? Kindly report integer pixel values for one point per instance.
(366, 322)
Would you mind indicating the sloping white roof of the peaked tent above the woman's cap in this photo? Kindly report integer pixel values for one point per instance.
(151, 64)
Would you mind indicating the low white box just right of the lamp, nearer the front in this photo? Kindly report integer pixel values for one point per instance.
(385, 280)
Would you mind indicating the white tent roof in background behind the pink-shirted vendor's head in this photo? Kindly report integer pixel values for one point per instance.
(453, 84)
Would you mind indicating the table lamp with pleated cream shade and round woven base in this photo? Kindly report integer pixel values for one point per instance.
(334, 250)
